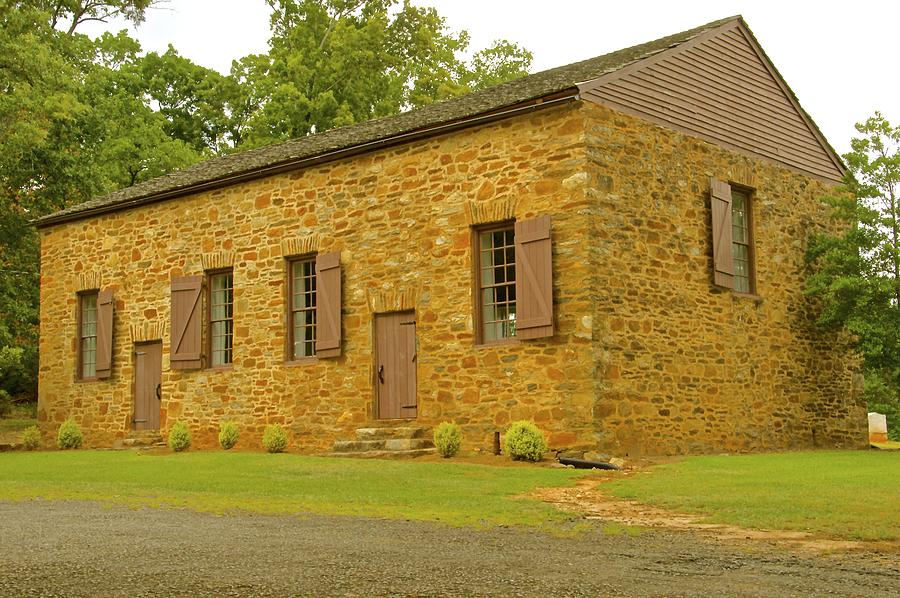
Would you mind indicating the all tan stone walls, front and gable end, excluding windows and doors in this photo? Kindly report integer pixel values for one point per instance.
(648, 356)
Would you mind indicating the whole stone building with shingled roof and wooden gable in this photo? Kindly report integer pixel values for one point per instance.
(612, 249)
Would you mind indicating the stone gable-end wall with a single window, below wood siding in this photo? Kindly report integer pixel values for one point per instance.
(685, 366)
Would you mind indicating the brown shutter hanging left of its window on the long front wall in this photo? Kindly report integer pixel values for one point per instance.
(186, 318)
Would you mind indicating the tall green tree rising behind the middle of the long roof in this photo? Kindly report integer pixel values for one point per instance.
(337, 62)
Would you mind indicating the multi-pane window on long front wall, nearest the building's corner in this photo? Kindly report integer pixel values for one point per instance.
(496, 286)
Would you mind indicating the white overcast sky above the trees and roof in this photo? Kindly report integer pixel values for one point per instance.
(841, 59)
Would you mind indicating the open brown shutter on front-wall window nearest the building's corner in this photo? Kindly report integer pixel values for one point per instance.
(534, 279)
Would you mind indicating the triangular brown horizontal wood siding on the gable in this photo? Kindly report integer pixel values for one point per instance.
(720, 88)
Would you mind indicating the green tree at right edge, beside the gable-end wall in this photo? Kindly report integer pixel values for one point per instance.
(856, 275)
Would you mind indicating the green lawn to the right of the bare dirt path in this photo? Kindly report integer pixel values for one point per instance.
(843, 494)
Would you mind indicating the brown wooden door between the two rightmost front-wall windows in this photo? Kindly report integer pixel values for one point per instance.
(395, 365)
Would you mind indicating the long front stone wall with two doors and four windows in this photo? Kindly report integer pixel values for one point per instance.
(401, 220)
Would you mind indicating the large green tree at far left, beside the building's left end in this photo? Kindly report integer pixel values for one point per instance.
(74, 123)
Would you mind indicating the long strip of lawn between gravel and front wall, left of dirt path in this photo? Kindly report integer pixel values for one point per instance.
(219, 482)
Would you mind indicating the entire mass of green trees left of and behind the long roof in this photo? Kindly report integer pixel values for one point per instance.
(80, 117)
